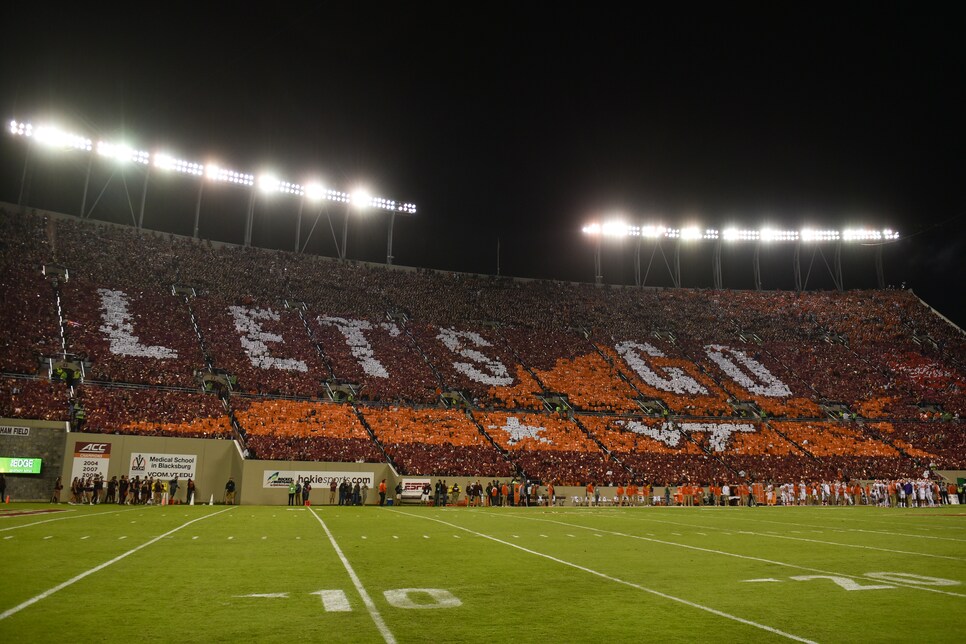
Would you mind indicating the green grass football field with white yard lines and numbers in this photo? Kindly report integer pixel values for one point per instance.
(567, 574)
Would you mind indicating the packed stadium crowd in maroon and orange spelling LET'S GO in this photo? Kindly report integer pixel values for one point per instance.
(284, 324)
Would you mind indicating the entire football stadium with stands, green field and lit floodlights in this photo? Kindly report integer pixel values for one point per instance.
(272, 444)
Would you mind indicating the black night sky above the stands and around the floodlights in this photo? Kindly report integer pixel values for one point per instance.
(521, 122)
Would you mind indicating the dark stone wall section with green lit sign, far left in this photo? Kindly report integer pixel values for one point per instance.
(43, 440)
